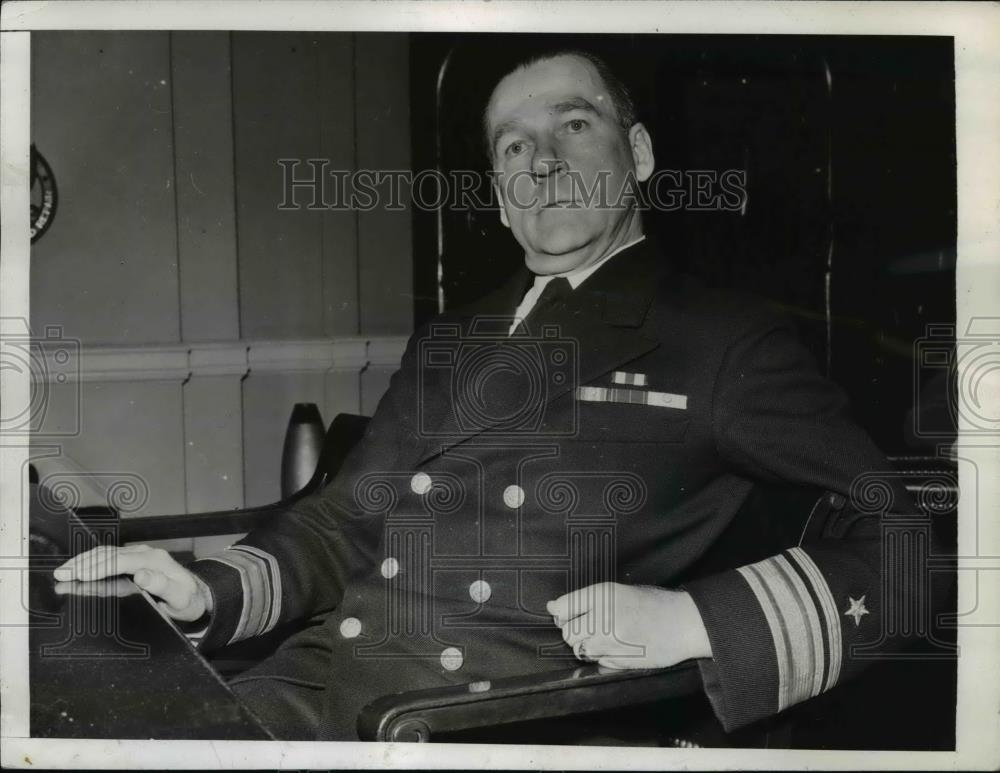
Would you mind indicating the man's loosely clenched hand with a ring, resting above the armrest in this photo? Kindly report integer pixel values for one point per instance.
(631, 626)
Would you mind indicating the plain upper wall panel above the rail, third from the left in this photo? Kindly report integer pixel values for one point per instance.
(275, 84)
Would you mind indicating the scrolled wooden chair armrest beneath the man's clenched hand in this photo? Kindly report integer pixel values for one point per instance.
(418, 715)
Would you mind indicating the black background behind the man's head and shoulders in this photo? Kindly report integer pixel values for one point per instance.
(849, 149)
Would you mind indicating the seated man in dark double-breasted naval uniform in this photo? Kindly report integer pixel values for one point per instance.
(547, 466)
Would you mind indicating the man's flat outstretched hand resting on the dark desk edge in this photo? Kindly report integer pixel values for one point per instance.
(183, 595)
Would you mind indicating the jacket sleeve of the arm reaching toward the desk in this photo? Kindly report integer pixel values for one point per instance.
(299, 564)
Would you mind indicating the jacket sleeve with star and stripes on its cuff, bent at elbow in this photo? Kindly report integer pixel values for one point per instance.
(783, 629)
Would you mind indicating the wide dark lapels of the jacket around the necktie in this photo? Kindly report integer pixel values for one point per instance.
(602, 324)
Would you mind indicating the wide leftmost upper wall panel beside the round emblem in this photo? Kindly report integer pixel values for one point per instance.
(101, 114)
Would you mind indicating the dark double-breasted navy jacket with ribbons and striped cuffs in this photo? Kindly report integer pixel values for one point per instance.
(615, 440)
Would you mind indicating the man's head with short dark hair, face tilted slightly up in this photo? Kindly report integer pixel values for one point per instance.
(555, 138)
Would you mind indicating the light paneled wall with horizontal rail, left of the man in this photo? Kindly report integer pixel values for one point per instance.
(201, 311)
